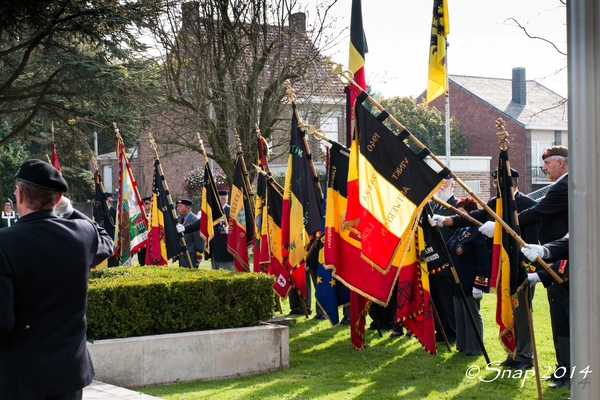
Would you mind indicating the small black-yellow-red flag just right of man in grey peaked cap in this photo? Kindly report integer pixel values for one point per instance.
(212, 212)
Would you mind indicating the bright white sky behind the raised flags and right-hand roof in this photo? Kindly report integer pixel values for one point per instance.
(482, 41)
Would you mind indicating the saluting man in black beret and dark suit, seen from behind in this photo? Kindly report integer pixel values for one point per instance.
(44, 266)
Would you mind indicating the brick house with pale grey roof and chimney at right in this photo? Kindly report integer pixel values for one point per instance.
(535, 118)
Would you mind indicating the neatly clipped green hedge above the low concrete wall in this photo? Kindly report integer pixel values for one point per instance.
(139, 301)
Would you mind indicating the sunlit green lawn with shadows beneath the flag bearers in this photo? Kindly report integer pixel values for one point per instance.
(324, 365)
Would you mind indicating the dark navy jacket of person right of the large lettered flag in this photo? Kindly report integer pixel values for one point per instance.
(469, 253)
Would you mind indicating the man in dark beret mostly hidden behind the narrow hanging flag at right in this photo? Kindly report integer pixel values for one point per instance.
(524, 356)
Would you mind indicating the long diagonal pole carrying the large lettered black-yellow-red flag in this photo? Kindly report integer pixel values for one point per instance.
(347, 78)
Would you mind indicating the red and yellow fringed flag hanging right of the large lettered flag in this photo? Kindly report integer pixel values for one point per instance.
(414, 309)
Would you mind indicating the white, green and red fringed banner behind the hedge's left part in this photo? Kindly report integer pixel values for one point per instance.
(132, 227)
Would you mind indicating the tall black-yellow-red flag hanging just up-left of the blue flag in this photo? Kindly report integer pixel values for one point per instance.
(301, 214)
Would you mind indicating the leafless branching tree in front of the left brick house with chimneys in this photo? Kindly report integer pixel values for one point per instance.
(225, 62)
